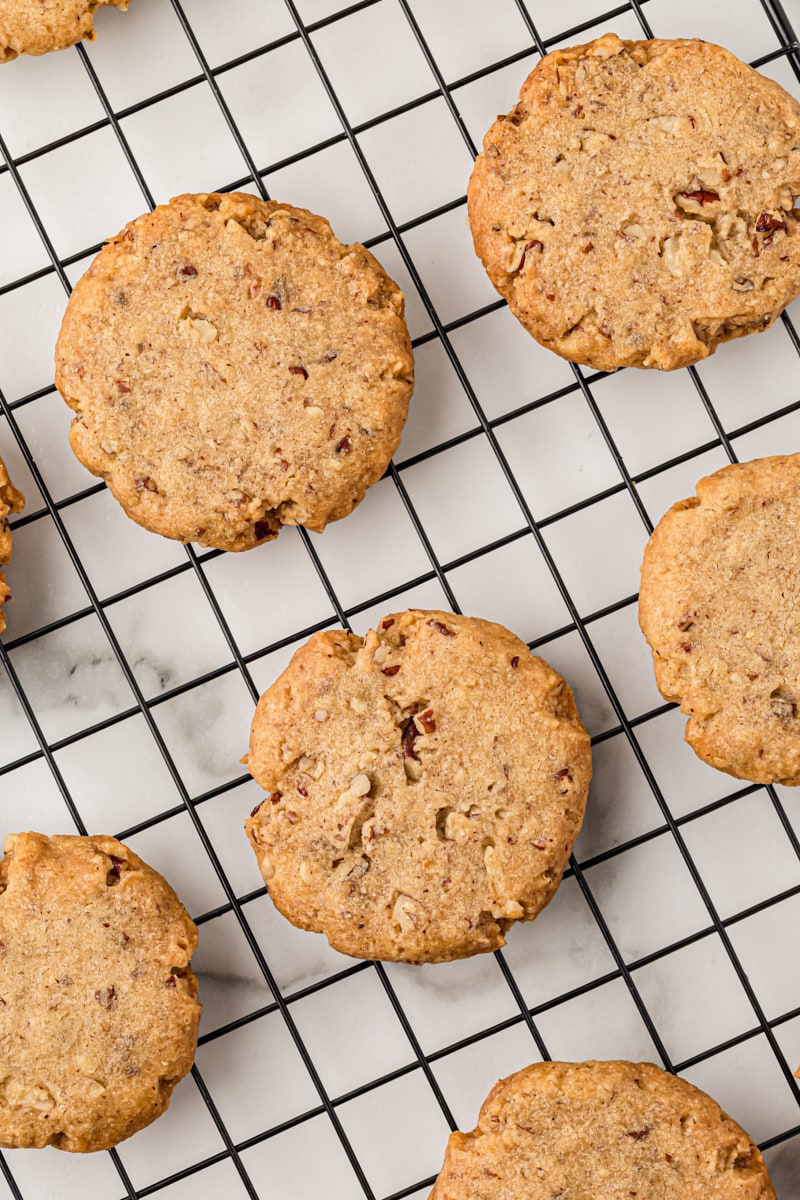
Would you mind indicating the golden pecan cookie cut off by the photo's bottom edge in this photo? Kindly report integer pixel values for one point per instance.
(612, 1130)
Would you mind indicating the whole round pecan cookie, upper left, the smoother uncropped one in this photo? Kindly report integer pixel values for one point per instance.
(234, 369)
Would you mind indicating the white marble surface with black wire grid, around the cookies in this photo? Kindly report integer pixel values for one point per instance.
(525, 491)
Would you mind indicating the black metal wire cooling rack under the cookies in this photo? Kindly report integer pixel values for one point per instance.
(438, 572)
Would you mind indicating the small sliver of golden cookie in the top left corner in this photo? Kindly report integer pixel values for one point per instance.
(38, 27)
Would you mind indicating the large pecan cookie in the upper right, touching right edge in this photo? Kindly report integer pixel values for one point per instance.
(636, 206)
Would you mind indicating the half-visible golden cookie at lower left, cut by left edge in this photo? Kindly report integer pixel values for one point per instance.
(99, 1011)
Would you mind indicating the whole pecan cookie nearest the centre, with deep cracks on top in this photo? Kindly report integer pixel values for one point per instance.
(426, 787)
